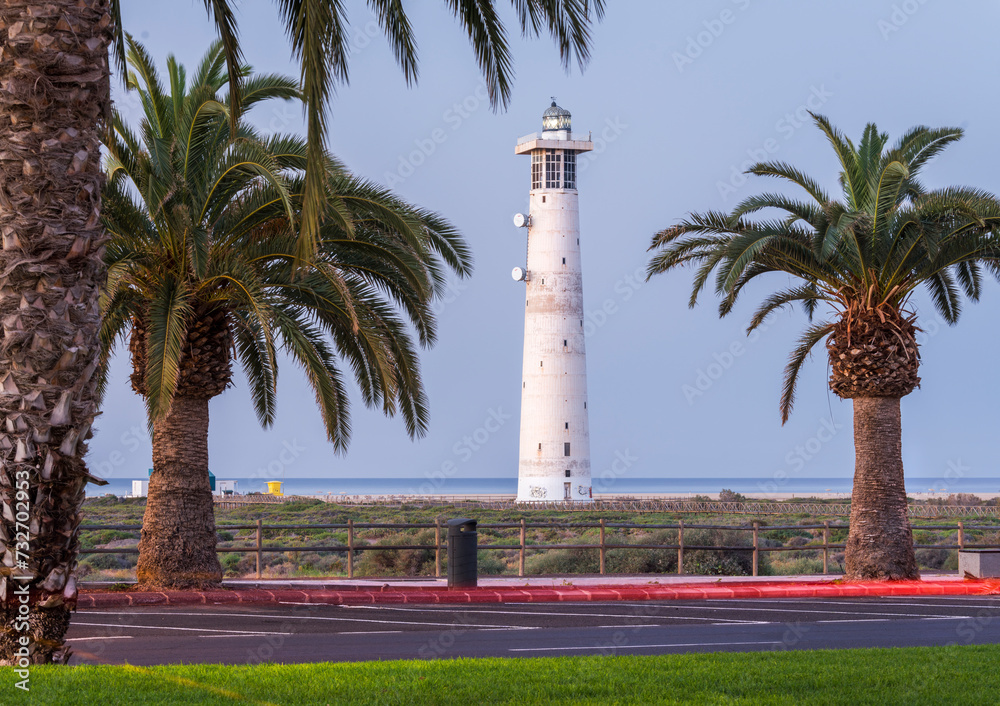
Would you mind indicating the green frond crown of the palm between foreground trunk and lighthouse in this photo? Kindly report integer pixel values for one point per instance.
(205, 214)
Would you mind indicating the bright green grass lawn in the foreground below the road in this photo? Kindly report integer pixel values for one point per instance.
(924, 675)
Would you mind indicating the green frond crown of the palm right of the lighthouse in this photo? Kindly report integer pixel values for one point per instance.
(867, 250)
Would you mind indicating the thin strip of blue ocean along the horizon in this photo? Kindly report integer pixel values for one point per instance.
(617, 486)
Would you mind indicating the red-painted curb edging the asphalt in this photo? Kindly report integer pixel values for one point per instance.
(366, 595)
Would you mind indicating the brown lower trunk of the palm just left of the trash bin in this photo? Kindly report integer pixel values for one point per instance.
(177, 547)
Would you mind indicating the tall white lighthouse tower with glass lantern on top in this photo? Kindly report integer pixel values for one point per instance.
(554, 461)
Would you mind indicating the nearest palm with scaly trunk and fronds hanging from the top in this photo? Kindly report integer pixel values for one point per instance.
(55, 92)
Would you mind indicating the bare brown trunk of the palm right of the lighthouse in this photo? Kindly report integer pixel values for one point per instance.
(879, 542)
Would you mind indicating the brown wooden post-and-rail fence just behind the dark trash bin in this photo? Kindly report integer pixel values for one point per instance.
(523, 546)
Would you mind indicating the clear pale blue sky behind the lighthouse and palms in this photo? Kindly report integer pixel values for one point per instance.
(679, 97)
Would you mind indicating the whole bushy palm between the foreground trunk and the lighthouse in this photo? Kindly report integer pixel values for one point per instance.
(201, 270)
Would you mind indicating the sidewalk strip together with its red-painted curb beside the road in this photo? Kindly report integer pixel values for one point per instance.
(538, 590)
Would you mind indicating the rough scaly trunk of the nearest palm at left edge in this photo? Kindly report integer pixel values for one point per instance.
(54, 99)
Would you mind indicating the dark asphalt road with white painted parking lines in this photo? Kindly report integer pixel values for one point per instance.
(286, 633)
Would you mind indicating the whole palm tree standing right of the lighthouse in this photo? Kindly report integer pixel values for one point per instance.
(862, 257)
